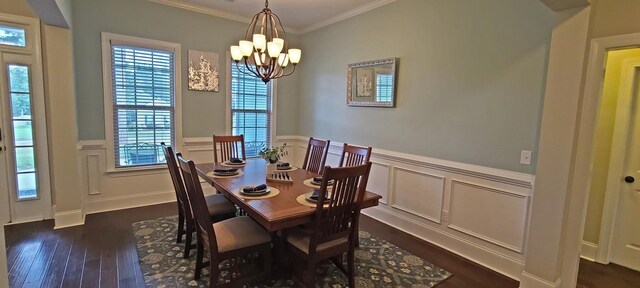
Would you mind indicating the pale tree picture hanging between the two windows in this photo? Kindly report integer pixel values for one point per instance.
(203, 71)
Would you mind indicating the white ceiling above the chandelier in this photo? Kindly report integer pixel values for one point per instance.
(298, 16)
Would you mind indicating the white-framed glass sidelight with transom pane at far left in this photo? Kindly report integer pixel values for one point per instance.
(24, 169)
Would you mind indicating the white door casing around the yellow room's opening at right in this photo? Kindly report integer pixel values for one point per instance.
(580, 179)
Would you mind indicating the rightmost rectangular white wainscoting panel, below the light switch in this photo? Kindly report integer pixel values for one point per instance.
(482, 211)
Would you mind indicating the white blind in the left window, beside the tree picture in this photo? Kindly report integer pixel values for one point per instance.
(143, 104)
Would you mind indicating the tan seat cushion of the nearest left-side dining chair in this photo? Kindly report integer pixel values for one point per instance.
(239, 232)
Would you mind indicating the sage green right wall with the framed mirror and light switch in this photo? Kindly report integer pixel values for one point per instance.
(470, 82)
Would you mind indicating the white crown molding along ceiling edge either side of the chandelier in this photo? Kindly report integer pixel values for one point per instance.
(235, 17)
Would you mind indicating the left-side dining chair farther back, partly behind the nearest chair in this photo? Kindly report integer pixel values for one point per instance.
(219, 207)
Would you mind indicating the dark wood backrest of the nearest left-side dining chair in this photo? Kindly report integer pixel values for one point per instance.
(198, 204)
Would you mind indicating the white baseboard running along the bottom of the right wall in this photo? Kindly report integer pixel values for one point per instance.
(493, 260)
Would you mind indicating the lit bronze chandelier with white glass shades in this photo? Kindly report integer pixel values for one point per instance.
(264, 48)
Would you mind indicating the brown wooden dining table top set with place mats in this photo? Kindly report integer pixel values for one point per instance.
(275, 213)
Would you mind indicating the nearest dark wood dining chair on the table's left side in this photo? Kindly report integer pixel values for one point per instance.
(225, 240)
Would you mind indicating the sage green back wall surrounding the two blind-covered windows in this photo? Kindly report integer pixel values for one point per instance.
(203, 112)
